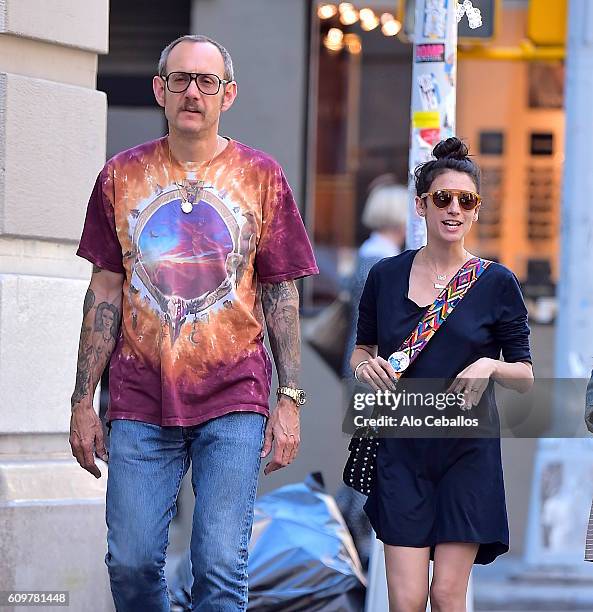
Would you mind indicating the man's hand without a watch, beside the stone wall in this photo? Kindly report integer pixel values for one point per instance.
(86, 436)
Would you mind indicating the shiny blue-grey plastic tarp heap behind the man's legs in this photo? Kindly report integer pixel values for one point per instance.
(301, 555)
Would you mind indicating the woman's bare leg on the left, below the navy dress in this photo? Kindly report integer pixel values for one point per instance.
(407, 578)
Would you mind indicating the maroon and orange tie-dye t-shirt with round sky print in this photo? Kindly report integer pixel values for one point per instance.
(191, 341)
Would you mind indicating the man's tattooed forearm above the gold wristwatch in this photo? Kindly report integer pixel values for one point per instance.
(280, 302)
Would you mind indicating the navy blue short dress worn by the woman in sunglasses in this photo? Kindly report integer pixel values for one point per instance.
(430, 491)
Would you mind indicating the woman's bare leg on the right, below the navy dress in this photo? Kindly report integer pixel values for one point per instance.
(453, 563)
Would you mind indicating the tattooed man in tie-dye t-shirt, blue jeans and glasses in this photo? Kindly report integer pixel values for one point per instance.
(194, 238)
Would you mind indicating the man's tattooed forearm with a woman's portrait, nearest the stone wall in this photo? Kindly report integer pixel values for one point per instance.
(100, 329)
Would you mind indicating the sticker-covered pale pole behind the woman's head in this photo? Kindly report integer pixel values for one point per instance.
(434, 77)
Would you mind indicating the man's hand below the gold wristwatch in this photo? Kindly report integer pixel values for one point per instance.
(282, 432)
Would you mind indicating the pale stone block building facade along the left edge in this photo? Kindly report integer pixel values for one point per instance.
(52, 144)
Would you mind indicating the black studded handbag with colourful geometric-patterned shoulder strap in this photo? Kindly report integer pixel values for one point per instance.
(361, 466)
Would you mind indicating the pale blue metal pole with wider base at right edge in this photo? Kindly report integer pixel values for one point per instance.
(558, 514)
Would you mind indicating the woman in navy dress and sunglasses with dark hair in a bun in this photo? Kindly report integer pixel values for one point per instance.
(441, 498)
